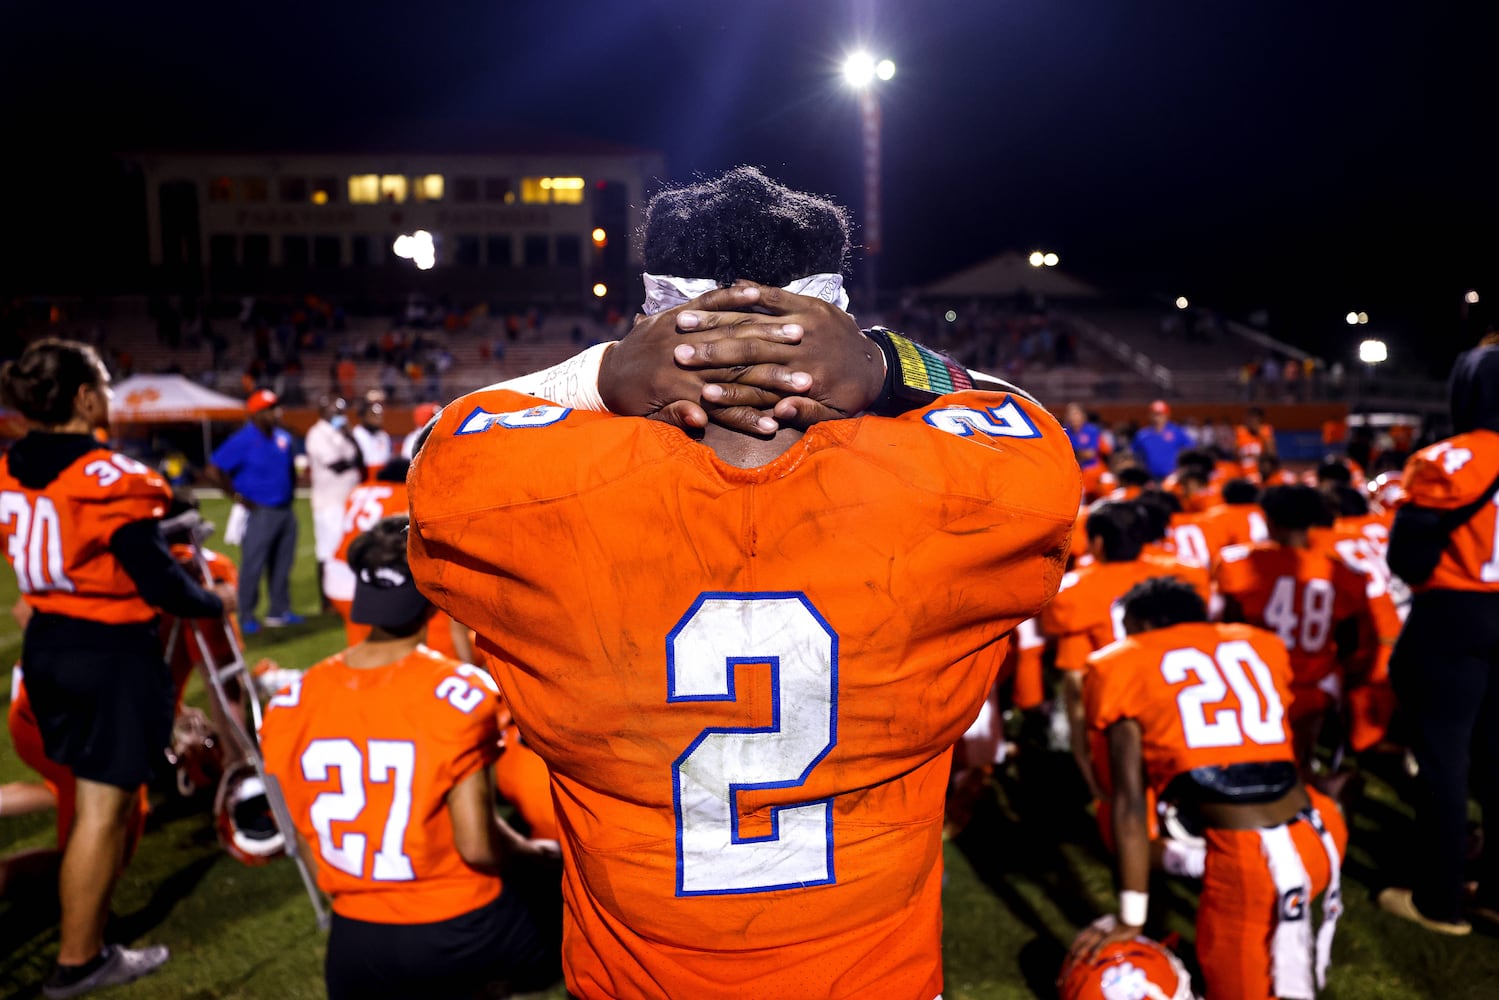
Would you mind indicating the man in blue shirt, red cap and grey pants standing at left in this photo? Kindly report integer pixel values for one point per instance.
(257, 467)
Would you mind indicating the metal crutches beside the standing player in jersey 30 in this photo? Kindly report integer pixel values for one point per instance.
(218, 677)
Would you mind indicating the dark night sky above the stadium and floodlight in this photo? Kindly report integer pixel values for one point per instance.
(1308, 158)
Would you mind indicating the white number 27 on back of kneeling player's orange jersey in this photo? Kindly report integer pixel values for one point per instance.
(390, 761)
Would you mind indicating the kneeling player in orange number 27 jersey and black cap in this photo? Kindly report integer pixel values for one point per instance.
(384, 756)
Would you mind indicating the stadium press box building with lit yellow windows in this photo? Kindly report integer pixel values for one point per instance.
(524, 223)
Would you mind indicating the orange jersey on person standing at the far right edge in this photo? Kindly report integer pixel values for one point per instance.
(1447, 476)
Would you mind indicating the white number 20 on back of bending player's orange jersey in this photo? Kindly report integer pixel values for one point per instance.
(1234, 665)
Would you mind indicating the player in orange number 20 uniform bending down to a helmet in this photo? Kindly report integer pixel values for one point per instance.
(1197, 711)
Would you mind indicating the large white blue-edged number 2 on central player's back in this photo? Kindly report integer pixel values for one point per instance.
(717, 635)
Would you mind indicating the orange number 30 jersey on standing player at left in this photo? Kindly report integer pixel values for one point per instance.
(58, 539)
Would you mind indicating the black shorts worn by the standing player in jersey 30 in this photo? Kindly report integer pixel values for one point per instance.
(103, 696)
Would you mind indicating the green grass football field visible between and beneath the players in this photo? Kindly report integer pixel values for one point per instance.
(1022, 879)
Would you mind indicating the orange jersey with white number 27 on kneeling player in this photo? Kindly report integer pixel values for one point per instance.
(367, 761)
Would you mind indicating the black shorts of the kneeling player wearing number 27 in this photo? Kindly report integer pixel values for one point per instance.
(497, 944)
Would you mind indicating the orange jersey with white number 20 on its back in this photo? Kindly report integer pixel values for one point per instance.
(1204, 695)
